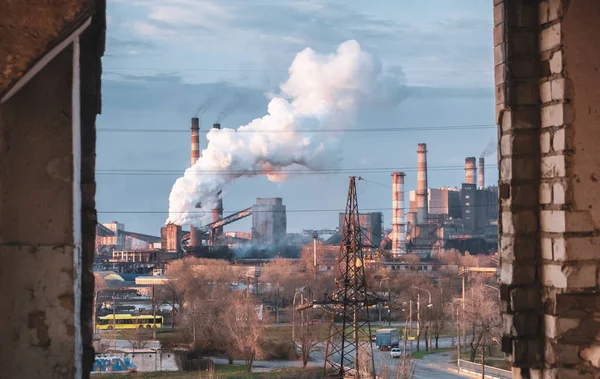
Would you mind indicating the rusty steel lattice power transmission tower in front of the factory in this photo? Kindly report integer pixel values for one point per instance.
(349, 349)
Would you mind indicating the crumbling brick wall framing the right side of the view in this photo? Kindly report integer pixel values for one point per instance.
(548, 112)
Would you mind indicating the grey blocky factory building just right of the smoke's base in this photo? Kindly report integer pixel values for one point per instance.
(269, 221)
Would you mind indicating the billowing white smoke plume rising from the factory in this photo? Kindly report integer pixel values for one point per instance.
(322, 91)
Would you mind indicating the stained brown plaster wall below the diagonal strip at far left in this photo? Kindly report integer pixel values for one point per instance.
(36, 227)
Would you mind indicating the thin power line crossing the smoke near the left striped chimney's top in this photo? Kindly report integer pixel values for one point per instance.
(325, 130)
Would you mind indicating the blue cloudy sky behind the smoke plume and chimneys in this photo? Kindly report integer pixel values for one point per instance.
(165, 58)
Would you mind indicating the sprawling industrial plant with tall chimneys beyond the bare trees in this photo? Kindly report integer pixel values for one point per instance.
(436, 220)
